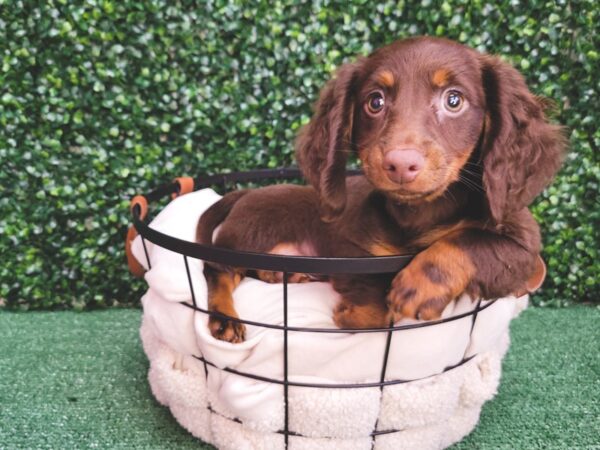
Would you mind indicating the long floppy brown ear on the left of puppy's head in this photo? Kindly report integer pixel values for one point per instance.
(324, 143)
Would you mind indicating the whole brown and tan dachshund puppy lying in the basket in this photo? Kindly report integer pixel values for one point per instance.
(453, 147)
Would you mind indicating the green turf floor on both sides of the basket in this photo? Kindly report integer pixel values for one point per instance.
(78, 380)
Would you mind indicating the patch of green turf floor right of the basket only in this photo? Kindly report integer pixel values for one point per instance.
(549, 394)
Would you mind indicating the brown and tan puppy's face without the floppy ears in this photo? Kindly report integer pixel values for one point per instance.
(418, 115)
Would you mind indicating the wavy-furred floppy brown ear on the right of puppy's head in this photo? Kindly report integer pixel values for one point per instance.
(522, 151)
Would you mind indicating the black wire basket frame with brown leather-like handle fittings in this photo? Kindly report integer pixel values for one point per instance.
(285, 264)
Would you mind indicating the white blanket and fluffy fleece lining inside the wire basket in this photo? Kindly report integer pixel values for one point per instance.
(234, 412)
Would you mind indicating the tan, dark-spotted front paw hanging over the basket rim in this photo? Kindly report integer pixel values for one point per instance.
(414, 295)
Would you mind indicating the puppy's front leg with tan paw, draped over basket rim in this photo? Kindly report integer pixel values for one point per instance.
(482, 263)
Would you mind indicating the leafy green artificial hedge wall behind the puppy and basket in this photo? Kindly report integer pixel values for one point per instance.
(101, 100)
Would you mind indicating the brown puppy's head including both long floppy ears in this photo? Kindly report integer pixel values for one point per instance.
(422, 114)
